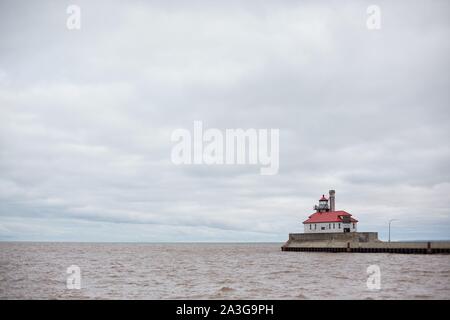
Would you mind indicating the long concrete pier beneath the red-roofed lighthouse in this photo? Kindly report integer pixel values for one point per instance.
(358, 242)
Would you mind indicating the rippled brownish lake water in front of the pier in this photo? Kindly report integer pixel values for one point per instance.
(213, 271)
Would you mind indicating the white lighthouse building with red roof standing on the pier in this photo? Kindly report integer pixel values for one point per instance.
(327, 220)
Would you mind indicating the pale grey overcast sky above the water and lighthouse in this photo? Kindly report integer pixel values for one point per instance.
(86, 117)
